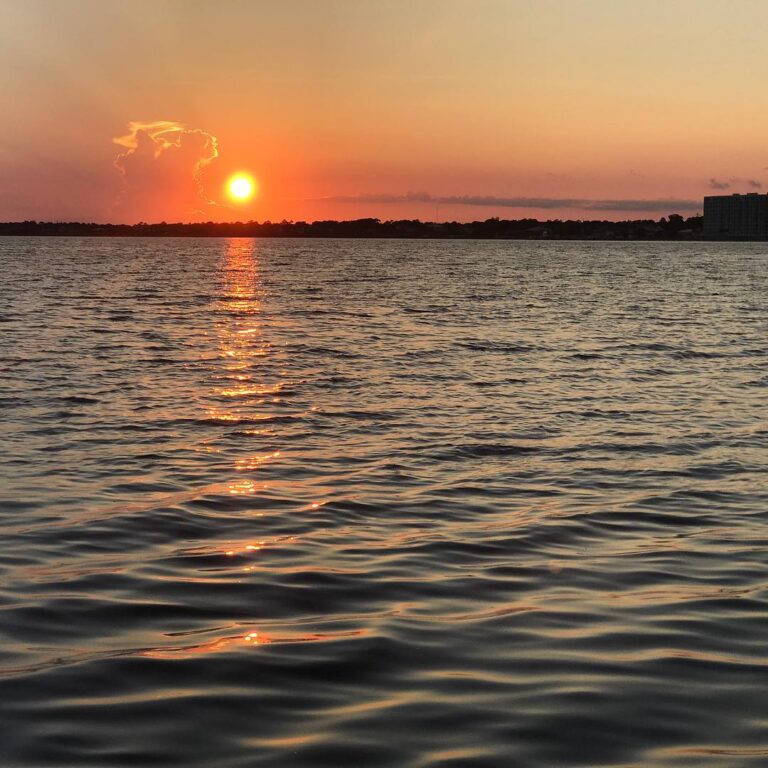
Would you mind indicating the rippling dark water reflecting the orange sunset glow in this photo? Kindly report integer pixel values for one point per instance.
(368, 503)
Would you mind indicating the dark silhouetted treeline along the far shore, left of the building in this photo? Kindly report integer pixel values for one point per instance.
(674, 227)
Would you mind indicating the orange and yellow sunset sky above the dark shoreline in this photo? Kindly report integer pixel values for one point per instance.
(449, 109)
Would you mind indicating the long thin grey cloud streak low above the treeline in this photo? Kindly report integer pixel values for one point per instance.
(491, 201)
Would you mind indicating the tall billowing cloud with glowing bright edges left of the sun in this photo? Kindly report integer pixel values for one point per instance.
(161, 170)
